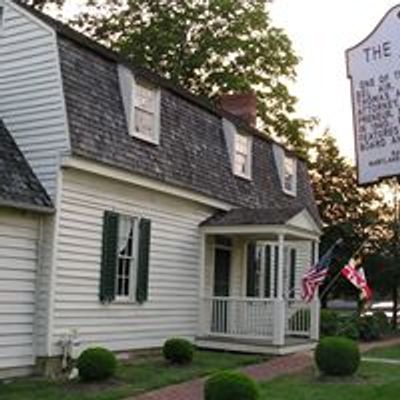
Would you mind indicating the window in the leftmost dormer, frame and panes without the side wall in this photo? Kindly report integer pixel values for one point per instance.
(146, 107)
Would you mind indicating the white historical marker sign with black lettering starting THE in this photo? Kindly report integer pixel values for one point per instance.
(374, 69)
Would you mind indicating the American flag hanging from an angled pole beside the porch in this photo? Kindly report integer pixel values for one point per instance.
(316, 275)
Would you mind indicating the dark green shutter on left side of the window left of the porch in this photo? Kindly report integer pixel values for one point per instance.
(109, 257)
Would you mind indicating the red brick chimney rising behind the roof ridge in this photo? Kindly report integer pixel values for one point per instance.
(243, 105)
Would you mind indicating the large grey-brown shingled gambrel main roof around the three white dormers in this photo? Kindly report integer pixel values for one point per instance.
(192, 153)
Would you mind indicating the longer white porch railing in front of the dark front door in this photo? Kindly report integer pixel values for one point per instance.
(237, 317)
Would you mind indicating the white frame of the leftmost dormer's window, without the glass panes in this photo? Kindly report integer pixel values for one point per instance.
(156, 112)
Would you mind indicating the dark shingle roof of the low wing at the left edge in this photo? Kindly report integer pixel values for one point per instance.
(19, 187)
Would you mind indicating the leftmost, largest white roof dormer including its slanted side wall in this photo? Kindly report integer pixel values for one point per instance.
(141, 100)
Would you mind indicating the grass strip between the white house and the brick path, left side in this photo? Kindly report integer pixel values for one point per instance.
(132, 378)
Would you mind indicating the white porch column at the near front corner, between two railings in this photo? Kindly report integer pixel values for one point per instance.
(279, 318)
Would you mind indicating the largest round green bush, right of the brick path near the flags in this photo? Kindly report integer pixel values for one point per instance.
(337, 356)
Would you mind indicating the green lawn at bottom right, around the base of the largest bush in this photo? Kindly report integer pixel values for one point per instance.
(373, 382)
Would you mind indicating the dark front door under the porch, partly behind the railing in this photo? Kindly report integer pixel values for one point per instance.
(222, 273)
